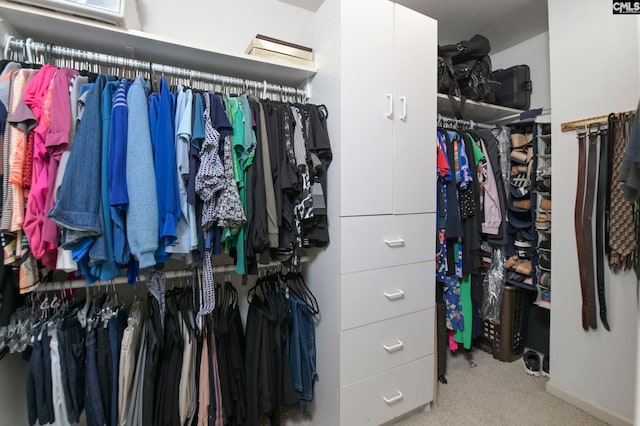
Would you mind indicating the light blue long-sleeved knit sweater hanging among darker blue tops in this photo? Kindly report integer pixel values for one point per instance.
(142, 215)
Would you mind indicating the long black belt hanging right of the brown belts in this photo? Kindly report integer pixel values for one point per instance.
(603, 196)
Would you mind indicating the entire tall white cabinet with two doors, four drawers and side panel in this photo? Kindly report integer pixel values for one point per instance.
(375, 338)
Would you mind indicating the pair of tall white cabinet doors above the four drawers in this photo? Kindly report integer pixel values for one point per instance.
(387, 65)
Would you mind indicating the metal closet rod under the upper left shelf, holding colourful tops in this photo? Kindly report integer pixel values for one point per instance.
(30, 47)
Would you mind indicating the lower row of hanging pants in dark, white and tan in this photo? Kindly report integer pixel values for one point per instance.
(124, 368)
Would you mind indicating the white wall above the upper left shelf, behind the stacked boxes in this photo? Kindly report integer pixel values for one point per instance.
(226, 25)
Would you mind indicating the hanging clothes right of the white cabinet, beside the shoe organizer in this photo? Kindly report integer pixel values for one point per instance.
(471, 206)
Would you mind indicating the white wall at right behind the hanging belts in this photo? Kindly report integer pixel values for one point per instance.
(594, 369)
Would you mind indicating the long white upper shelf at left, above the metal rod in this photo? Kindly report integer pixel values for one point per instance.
(66, 30)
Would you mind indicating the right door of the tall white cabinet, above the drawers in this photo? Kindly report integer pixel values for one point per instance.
(415, 56)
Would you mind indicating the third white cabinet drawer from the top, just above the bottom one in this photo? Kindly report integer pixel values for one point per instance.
(372, 349)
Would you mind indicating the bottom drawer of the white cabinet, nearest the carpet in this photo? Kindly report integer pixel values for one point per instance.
(405, 388)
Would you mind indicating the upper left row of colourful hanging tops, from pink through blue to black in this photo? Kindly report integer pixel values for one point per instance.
(236, 175)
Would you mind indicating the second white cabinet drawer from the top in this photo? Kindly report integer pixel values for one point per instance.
(380, 294)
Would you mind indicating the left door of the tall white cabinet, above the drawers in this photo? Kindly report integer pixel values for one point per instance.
(366, 86)
